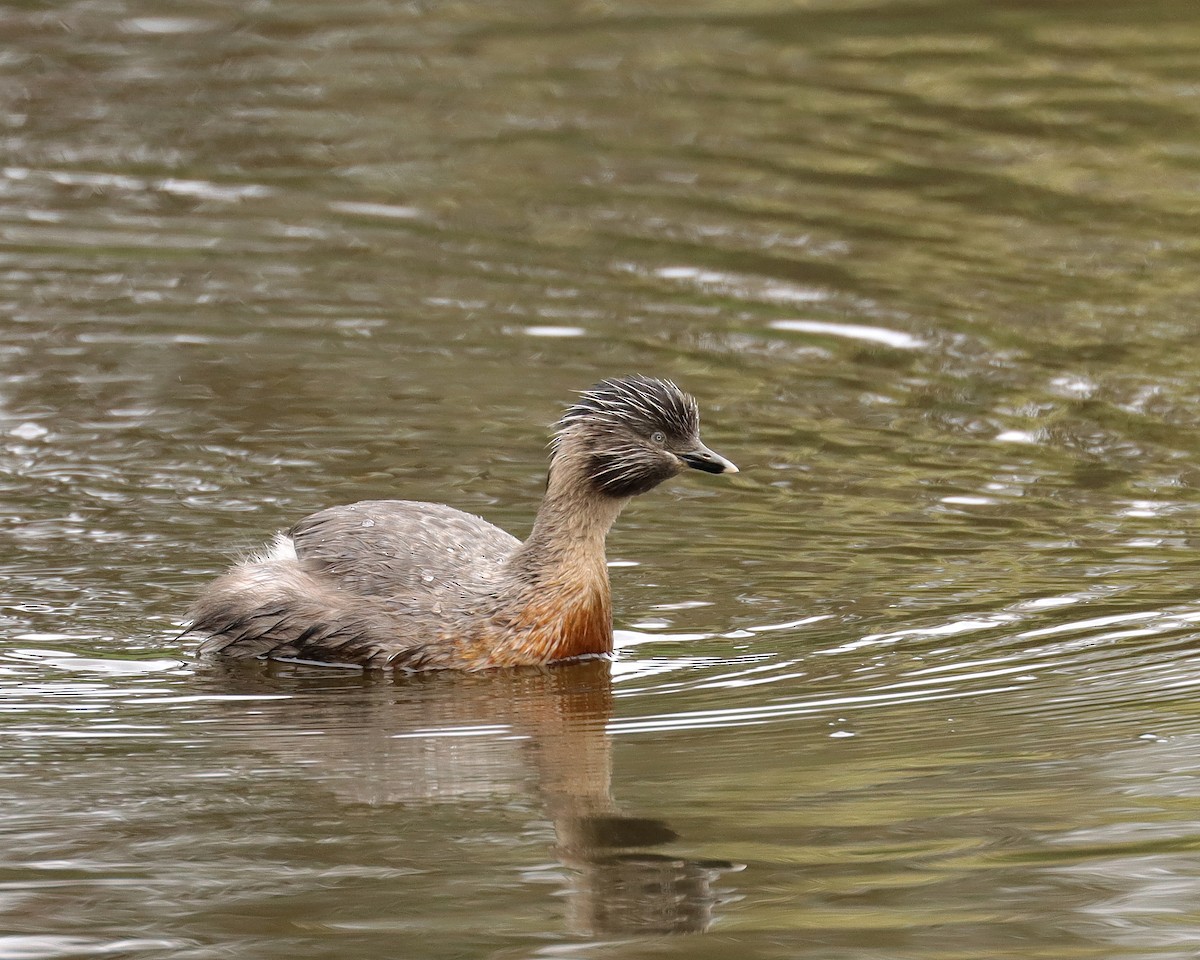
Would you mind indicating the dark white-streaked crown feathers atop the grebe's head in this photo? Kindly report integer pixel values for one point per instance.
(641, 404)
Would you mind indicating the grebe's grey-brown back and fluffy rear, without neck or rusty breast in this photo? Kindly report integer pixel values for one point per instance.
(367, 586)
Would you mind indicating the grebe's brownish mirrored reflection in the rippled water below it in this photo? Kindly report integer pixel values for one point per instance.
(453, 737)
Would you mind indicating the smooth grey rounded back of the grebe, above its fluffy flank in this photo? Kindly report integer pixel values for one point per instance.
(401, 550)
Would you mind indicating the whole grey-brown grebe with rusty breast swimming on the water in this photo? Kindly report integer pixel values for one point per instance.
(422, 586)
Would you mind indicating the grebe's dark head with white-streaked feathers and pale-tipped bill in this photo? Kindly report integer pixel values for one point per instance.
(631, 434)
